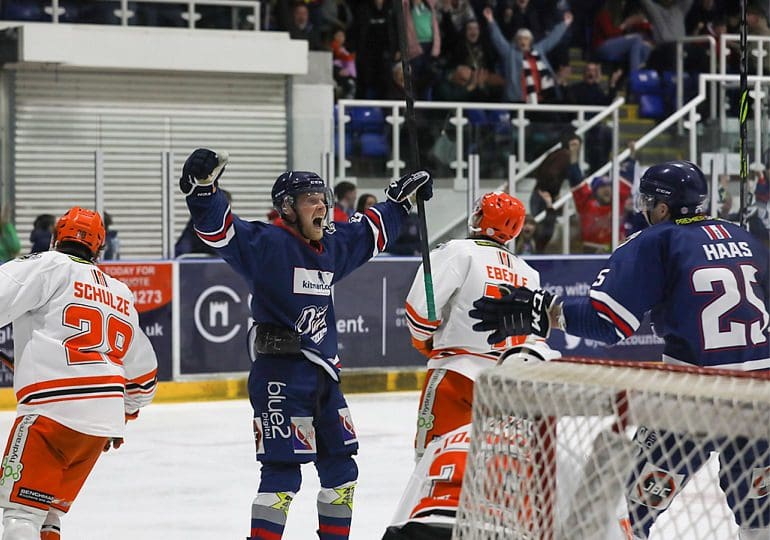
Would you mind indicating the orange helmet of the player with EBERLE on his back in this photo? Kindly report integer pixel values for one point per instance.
(497, 215)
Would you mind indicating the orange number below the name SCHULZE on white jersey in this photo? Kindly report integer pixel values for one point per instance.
(99, 340)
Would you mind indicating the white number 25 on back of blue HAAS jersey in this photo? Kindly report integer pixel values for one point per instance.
(735, 290)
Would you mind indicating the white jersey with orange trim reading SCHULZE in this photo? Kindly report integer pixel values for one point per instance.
(81, 357)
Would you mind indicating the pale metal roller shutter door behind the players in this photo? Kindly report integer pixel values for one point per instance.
(60, 117)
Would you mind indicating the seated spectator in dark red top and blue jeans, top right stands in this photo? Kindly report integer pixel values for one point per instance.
(619, 38)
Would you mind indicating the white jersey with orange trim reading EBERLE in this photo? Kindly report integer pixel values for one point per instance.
(464, 270)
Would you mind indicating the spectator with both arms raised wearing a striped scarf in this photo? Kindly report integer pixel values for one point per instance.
(529, 76)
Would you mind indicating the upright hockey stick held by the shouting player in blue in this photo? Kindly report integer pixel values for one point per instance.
(414, 154)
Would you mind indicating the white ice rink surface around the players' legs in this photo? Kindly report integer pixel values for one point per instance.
(188, 472)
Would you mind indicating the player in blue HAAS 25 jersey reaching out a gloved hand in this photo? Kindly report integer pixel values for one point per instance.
(705, 283)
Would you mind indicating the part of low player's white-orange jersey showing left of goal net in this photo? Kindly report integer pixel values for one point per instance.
(433, 492)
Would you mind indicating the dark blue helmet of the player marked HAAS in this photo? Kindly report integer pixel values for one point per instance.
(679, 184)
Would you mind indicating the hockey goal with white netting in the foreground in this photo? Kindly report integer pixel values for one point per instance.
(588, 450)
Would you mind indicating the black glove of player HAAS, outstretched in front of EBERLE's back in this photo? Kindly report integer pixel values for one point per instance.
(520, 313)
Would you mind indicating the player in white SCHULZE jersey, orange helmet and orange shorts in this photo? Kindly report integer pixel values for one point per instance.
(82, 368)
